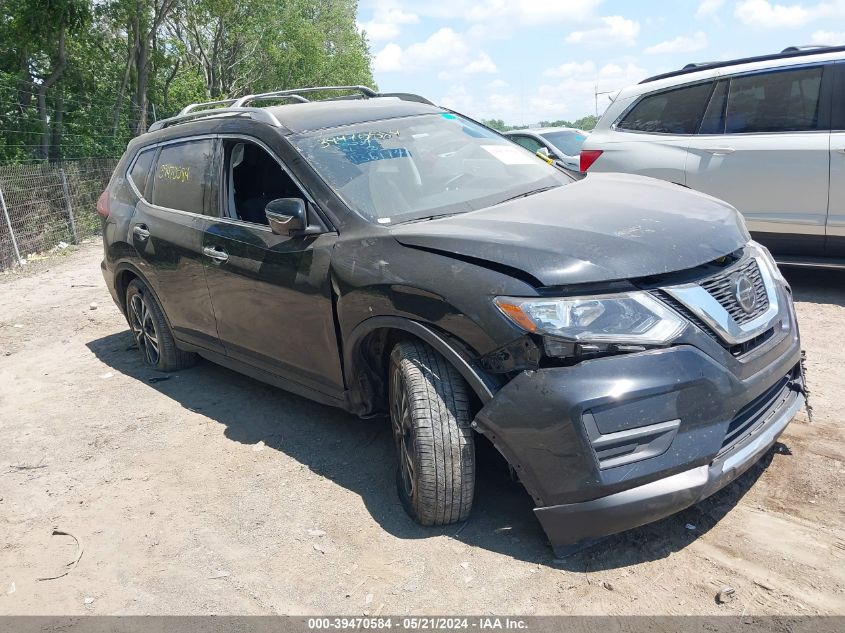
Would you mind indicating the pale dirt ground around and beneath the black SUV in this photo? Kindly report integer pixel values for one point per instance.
(211, 493)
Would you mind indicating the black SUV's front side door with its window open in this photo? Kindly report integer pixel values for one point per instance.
(271, 293)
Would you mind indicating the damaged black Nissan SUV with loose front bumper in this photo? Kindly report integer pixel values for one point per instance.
(620, 340)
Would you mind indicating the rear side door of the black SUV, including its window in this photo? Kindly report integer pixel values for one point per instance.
(167, 231)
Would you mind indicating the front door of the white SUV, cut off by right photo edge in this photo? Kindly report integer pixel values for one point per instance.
(835, 243)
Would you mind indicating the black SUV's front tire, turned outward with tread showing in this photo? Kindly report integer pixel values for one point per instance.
(430, 416)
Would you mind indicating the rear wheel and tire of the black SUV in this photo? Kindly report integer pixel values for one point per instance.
(151, 332)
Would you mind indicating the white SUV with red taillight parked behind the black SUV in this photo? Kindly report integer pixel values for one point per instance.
(766, 134)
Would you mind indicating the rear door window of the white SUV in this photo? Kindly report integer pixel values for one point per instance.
(782, 101)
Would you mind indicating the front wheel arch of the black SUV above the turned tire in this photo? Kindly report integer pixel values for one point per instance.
(367, 349)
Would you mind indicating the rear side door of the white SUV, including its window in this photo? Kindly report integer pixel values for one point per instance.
(763, 147)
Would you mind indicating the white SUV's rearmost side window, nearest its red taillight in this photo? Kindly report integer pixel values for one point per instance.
(671, 112)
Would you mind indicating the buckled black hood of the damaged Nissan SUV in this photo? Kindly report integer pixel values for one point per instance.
(605, 227)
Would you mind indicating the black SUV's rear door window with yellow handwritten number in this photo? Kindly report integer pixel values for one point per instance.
(184, 177)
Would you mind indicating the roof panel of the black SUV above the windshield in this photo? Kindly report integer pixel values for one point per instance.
(304, 117)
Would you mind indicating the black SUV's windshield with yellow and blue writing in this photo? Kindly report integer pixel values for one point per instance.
(411, 168)
